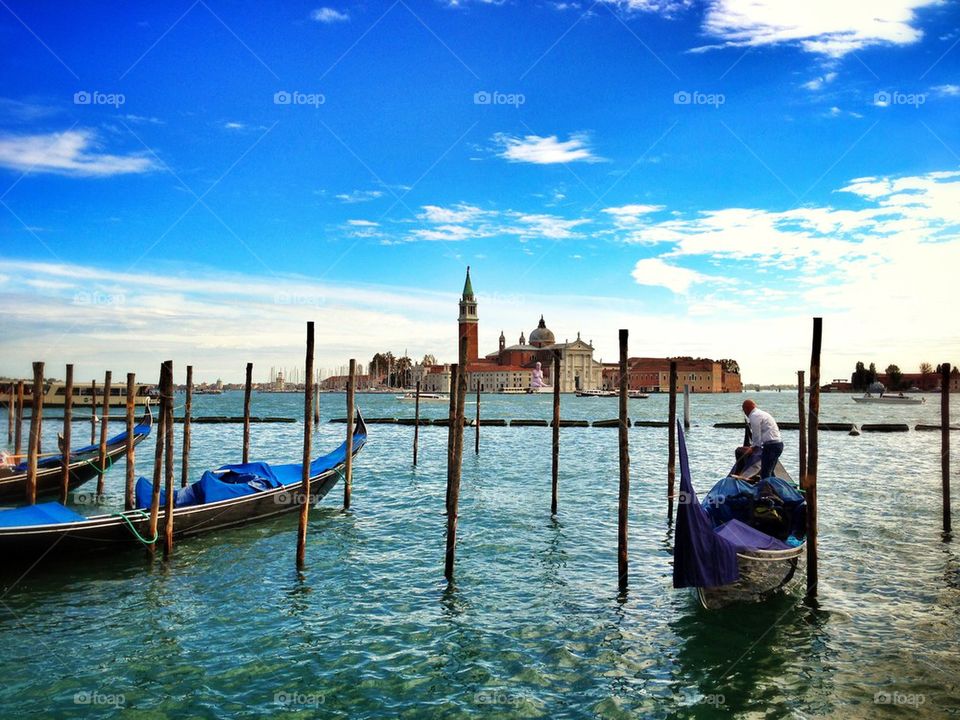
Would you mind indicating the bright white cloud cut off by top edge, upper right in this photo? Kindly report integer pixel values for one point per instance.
(824, 27)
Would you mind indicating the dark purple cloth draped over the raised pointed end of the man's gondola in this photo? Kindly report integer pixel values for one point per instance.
(701, 557)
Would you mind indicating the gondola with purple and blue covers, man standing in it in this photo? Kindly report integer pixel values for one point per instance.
(748, 541)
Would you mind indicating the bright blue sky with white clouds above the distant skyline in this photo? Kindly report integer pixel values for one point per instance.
(197, 179)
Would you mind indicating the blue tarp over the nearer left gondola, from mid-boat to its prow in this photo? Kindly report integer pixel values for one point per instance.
(230, 481)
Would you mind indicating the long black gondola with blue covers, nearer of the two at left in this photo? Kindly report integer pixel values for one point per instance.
(229, 496)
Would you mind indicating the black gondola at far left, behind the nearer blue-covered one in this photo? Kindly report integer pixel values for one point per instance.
(84, 466)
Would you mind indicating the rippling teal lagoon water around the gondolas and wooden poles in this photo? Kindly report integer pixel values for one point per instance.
(534, 626)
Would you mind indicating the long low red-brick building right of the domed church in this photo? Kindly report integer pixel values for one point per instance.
(702, 375)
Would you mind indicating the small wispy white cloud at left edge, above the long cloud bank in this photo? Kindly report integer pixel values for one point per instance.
(67, 153)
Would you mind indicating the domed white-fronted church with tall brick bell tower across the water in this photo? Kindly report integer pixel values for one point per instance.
(514, 367)
